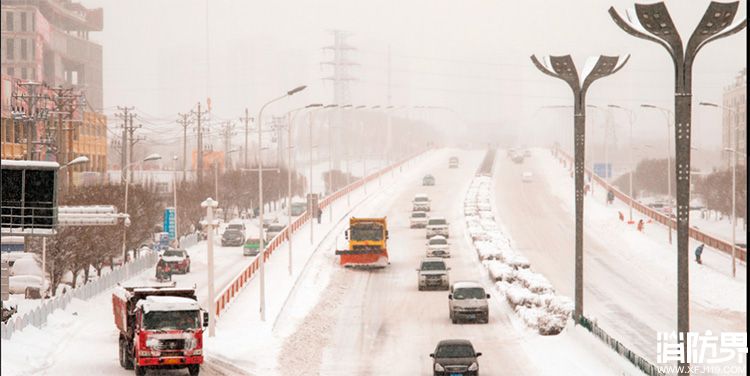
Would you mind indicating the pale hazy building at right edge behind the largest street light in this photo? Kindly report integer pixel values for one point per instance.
(734, 122)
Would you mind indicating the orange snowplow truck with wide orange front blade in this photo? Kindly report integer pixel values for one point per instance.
(367, 243)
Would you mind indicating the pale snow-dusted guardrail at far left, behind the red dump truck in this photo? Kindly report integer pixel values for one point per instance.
(38, 316)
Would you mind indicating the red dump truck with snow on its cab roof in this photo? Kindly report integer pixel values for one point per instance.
(161, 327)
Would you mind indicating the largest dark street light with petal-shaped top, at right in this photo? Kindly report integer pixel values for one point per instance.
(652, 22)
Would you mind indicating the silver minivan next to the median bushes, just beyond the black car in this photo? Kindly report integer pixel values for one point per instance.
(468, 301)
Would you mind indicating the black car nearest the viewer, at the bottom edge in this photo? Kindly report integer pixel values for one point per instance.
(455, 357)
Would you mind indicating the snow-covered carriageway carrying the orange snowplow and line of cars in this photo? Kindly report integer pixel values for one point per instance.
(377, 322)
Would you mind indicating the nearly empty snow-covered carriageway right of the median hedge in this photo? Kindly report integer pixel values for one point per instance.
(629, 277)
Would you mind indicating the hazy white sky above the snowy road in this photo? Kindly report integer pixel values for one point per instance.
(471, 55)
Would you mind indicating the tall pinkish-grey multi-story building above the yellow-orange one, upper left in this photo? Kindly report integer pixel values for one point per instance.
(48, 41)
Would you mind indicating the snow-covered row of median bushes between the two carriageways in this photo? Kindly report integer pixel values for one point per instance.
(529, 293)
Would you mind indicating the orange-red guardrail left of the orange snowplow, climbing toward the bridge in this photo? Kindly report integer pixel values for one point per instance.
(234, 287)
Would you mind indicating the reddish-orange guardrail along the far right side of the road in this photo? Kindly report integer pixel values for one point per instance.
(709, 240)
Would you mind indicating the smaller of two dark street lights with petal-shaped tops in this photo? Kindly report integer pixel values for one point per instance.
(596, 67)
